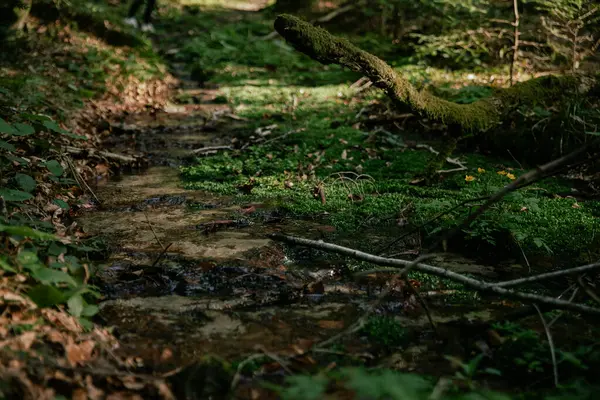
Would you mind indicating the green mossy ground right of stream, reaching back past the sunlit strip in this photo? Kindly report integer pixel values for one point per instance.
(320, 161)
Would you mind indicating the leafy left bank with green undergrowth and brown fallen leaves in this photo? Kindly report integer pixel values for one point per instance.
(47, 73)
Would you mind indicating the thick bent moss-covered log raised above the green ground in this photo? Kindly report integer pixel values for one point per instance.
(478, 116)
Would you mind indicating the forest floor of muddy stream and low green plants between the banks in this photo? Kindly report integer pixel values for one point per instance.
(255, 139)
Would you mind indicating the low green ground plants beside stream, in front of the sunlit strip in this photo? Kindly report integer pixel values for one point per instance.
(366, 182)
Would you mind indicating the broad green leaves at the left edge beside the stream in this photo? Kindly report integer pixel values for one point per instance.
(56, 275)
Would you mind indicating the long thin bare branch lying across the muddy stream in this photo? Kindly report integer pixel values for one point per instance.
(441, 272)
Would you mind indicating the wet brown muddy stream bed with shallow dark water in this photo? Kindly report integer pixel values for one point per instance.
(192, 274)
